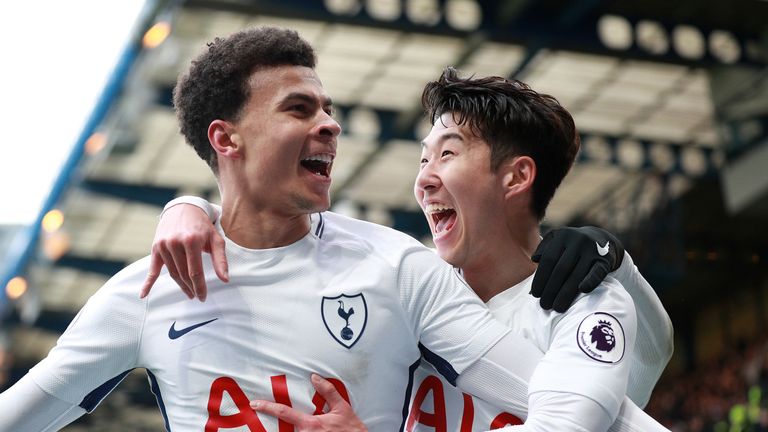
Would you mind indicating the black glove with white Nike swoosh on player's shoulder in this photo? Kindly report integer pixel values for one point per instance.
(573, 261)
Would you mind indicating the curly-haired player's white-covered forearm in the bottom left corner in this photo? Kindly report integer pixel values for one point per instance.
(26, 407)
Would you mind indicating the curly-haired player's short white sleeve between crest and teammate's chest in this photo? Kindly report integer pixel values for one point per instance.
(453, 326)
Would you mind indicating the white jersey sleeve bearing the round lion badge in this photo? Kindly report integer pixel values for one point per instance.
(591, 348)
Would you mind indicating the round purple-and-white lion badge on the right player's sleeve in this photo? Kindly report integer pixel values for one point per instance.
(601, 337)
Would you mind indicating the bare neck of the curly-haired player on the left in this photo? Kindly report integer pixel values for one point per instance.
(259, 227)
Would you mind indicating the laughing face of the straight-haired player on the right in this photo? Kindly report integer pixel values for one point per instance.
(461, 197)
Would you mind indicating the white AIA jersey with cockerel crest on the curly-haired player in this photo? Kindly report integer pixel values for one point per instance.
(351, 301)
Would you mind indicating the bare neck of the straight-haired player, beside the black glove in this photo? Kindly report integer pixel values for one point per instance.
(507, 260)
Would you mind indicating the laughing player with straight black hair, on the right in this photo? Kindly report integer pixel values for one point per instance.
(516, 145)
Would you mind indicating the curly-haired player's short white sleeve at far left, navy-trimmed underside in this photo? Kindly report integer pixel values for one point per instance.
(100, 346)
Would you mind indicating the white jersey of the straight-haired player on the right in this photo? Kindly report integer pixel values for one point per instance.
(587, 352)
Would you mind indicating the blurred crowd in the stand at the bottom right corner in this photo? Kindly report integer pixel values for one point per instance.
(729, 394)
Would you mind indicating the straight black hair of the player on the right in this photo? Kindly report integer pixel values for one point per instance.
(513, 120)
